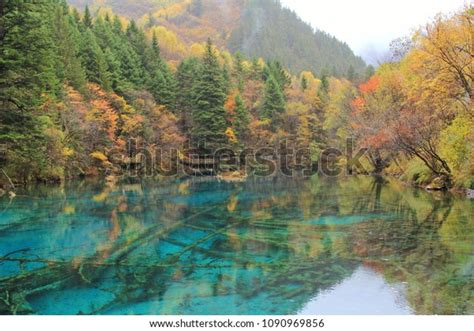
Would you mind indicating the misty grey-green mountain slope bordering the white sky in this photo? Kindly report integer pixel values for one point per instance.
(267, 30)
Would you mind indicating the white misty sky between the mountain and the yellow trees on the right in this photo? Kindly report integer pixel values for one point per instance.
(368, 26)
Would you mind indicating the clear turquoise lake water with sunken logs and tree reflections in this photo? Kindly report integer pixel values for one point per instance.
(274, 246)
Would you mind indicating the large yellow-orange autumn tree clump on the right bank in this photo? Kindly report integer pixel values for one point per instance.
(408, 107)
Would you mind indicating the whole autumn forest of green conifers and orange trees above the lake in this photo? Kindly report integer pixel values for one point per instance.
(79, 90)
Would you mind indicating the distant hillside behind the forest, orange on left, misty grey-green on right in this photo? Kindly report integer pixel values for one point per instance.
(256, 28)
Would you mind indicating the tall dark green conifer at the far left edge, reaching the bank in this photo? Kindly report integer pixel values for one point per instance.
(27, 75)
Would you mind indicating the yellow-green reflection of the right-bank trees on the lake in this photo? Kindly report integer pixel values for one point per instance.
(410, 249)
